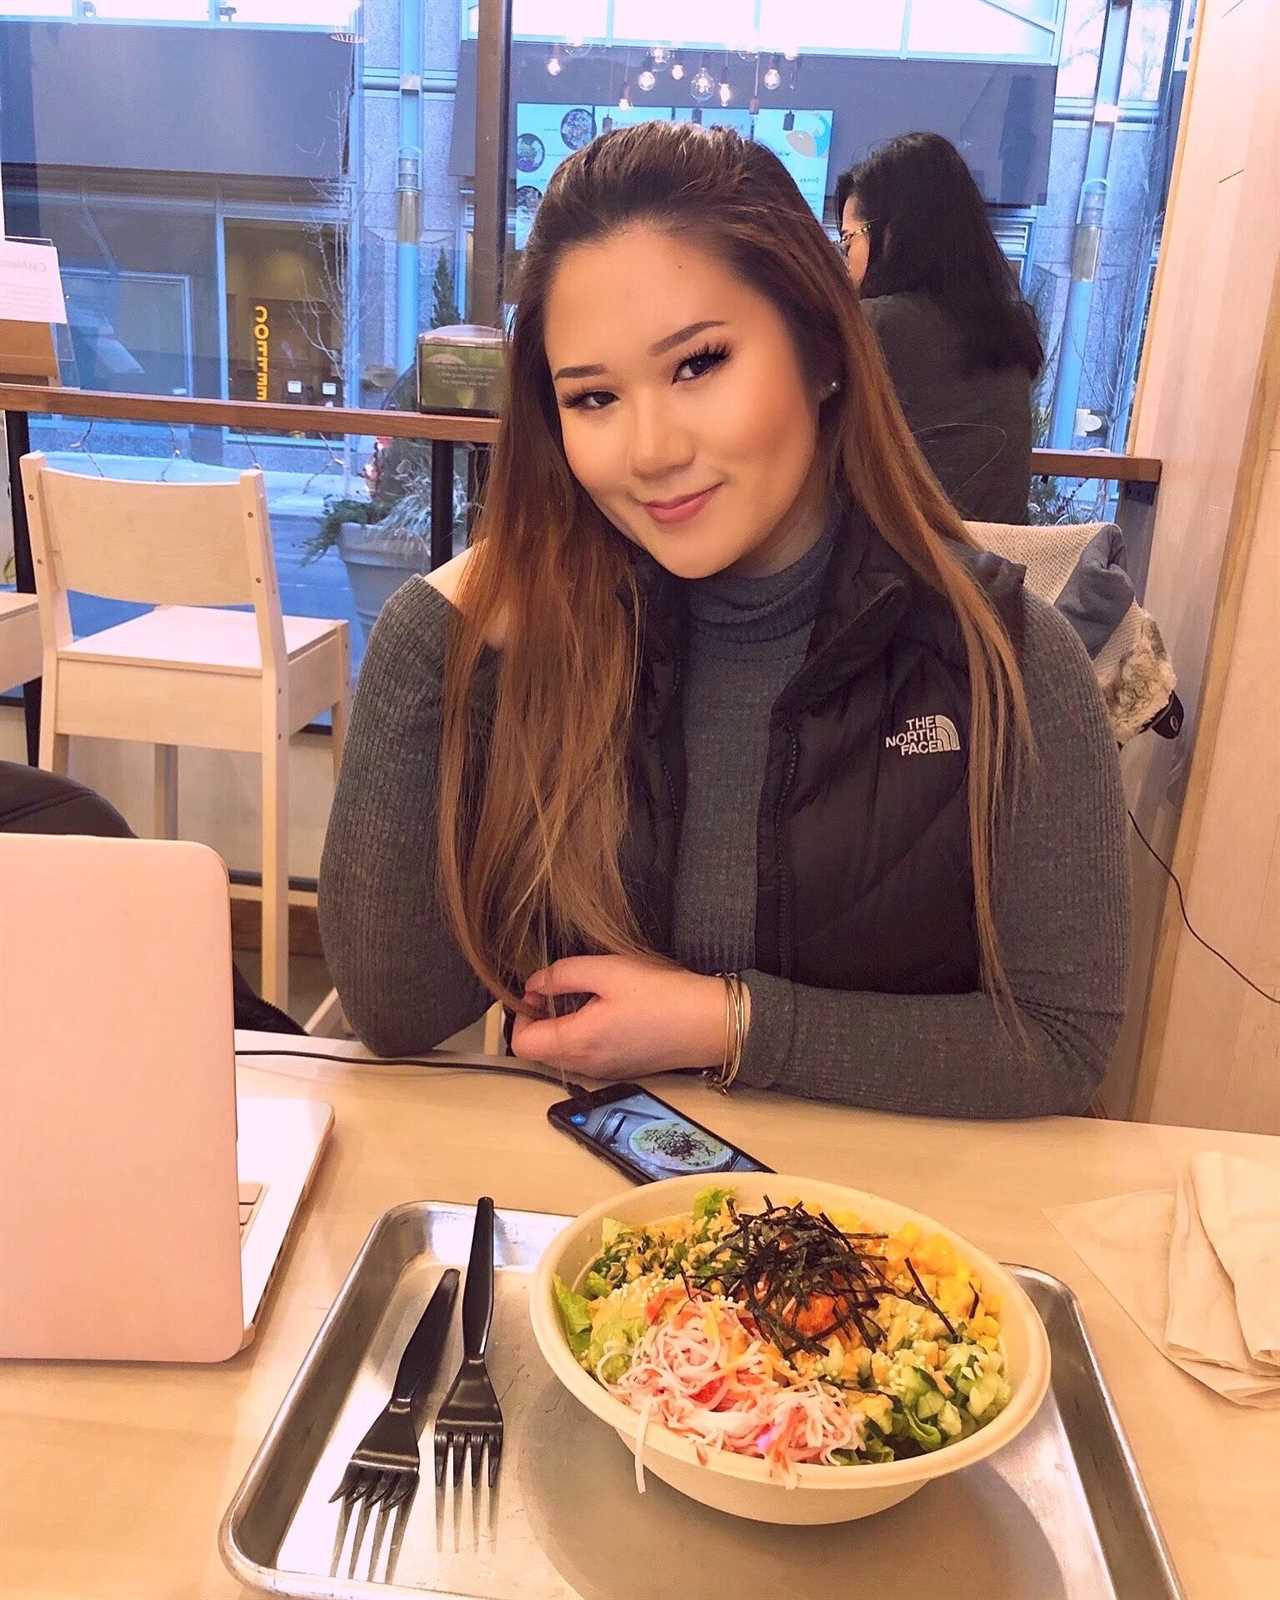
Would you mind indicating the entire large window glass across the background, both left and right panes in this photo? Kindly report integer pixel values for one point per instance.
(271, 199)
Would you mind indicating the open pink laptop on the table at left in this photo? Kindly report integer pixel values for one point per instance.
(134, 1228)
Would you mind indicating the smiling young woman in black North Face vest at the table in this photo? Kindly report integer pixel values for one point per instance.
(722, 689)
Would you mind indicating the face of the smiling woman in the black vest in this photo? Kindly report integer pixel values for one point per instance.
(686, 412)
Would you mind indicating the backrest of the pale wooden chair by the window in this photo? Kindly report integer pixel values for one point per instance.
(153, 543)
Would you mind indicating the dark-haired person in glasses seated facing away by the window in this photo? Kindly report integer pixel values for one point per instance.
(959, 340)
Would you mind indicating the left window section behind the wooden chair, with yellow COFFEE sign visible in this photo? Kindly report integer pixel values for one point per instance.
(247, 206)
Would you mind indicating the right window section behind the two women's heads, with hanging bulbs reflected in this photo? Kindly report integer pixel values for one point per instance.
(1066, 113)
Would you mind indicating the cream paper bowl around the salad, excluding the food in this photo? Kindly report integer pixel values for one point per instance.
(745, 1486)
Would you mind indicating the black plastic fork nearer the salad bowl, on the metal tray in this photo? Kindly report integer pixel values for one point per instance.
(471, 1418)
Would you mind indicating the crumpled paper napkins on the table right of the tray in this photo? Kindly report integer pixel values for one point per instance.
(1199, 1271)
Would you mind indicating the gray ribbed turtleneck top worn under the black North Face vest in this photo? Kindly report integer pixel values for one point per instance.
(1062, 882)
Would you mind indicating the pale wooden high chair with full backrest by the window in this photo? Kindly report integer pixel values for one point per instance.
(183, 674)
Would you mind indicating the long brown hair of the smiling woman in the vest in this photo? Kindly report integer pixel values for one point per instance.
(534, 802)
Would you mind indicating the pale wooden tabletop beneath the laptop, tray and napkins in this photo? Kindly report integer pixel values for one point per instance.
(113, 1479)
